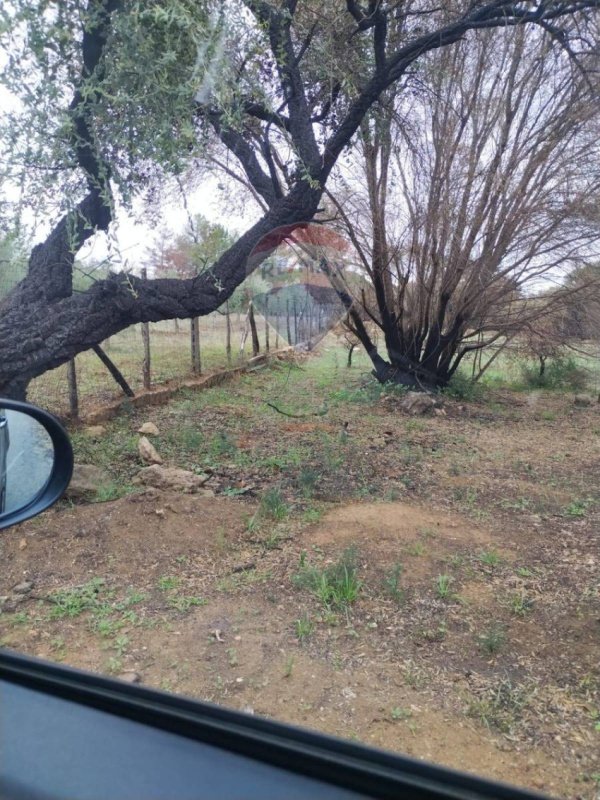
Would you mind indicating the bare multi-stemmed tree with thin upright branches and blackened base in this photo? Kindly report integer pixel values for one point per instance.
(476, 188)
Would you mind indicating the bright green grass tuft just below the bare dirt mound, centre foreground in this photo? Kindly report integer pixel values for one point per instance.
(337, 585)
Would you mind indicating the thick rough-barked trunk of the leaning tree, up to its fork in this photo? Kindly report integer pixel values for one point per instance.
(39, 331)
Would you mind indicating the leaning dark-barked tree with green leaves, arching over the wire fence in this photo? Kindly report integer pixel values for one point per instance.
(108, 98)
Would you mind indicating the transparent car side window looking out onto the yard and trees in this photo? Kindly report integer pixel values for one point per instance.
(316, 291)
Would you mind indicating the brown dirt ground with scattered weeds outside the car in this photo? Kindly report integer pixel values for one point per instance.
(474, 637)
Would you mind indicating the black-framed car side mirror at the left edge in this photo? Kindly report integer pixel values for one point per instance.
(36, 461)
